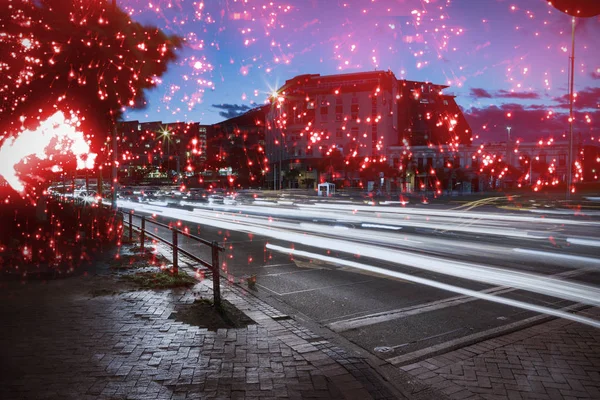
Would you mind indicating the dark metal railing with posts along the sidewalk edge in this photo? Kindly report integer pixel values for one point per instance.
(213, 265)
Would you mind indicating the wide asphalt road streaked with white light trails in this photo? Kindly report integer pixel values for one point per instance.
(398, 280)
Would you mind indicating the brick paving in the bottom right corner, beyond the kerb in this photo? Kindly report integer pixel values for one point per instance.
(554, 360)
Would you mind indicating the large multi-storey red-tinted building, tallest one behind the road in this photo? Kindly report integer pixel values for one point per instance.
(358, 116)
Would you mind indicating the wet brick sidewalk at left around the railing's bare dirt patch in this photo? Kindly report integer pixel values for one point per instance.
(68, 339)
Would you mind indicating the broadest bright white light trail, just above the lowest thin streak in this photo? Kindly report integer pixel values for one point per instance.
(489, 275)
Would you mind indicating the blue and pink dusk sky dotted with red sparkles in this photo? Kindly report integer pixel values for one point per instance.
(506, 61)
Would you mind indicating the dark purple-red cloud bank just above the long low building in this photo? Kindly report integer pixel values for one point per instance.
(527, 122)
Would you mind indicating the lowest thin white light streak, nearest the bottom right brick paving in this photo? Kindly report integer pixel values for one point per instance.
(443, 286)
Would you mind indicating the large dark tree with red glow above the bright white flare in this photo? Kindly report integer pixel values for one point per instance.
(77, 56)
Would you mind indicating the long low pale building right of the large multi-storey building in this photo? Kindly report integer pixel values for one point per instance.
(488, 166)
